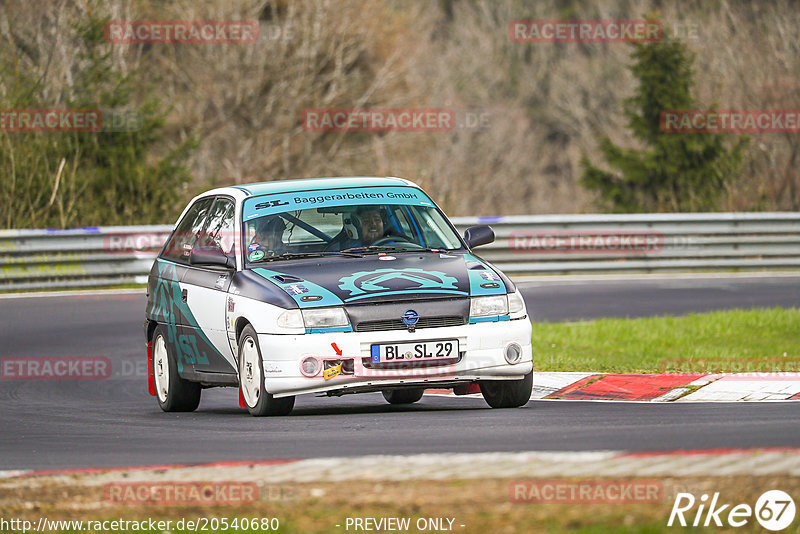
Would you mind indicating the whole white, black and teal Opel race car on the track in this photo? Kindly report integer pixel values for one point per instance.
(330, 286)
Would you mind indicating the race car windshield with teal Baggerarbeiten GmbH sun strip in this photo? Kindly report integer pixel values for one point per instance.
(351, 221)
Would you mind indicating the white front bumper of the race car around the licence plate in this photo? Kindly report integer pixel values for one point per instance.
(481, 346)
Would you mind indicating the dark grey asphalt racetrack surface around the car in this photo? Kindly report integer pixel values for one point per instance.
(113, 422)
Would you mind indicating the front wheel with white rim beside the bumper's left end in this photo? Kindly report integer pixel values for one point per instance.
(258, 401)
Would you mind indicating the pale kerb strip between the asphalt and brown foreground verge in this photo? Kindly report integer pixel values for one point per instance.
(518, 465)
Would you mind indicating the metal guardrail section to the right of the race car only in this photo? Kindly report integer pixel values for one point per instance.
(567, 244)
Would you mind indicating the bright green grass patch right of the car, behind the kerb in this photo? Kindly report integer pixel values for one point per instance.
(760, 340)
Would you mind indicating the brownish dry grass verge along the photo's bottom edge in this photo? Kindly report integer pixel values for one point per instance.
(481, 506)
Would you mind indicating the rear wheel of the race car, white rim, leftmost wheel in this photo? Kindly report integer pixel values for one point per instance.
(174, 394)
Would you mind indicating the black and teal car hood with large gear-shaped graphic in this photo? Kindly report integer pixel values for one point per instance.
(337, 280)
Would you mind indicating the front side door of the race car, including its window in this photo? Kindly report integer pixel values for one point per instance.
(204, 291)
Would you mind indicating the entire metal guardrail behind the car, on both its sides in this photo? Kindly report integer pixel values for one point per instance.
(546, 244)
